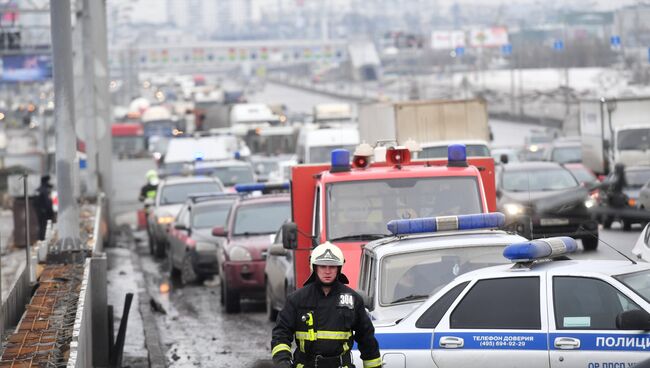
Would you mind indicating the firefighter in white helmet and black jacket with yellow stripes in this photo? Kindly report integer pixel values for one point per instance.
(325, 317)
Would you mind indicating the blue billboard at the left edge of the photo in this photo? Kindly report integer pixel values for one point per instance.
(26, 68)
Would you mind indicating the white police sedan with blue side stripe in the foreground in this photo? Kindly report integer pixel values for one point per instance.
(536, 313)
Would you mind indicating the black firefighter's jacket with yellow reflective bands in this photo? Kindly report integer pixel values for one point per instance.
(325, 325)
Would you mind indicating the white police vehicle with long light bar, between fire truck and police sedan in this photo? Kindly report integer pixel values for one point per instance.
(398, 273)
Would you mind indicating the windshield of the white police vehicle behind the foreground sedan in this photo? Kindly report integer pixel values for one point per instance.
(416, 275)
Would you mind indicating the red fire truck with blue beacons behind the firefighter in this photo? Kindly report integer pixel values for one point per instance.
(349, 204)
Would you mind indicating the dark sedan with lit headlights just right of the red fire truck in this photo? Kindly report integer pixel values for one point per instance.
(551, 197)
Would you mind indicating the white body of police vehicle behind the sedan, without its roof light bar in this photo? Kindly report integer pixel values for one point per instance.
(441, 256)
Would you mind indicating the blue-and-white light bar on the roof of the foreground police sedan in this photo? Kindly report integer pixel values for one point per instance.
(540, 249)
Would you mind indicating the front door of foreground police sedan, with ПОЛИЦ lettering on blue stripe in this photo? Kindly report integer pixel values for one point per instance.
(582, 320)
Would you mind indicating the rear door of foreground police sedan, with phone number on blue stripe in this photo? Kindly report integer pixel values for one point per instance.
(497, 323)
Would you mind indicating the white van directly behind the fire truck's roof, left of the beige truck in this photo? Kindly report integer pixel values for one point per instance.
(315, 144)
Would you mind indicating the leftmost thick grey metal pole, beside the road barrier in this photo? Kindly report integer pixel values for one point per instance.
(68, 219)
